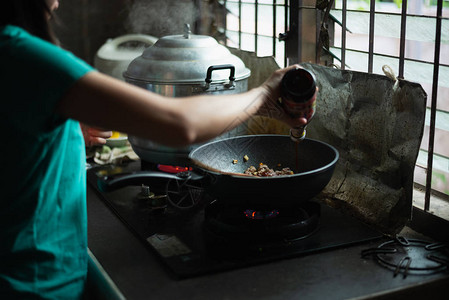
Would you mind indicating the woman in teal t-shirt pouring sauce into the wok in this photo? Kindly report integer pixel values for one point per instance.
(46, 92)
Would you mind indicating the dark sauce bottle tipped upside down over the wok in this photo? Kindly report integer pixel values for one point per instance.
(299, 98)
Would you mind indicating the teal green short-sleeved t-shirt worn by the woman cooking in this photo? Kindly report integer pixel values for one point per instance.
(43, 223)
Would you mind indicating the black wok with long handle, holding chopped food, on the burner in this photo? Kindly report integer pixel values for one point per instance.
(214, 167)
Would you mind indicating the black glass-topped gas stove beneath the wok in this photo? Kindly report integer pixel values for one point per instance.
(195, 234)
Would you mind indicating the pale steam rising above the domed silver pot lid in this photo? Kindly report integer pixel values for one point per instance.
(161, 17)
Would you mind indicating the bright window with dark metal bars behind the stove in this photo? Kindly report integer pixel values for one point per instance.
(405, 35)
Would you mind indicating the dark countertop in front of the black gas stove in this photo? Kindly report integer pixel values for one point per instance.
(333, 274)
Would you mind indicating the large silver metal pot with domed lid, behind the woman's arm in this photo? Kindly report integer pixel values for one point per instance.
(184, 65)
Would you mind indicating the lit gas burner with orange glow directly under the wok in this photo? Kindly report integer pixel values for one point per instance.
(235, 223)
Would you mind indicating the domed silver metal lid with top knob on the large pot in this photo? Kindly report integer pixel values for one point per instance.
(185, 59)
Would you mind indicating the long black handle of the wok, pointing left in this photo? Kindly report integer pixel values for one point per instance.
(110, 183)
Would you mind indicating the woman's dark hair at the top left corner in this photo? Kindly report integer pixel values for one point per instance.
(31, 15)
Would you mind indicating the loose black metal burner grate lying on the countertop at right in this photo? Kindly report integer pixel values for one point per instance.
(411, 256)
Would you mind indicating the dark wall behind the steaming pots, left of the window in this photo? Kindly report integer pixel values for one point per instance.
(87, 24)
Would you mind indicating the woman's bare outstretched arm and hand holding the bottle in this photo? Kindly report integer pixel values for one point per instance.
(102, 101)
